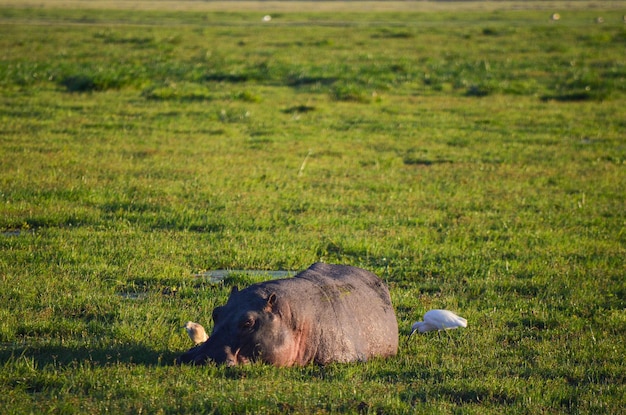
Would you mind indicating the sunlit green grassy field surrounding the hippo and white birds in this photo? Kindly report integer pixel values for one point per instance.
(475, 161)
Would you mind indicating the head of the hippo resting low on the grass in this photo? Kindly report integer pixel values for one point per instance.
(253, 325)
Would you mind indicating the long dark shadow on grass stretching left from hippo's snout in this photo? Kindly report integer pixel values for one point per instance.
(99, 356)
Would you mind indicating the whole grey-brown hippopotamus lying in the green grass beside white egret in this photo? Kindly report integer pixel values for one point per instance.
(327, 313)
